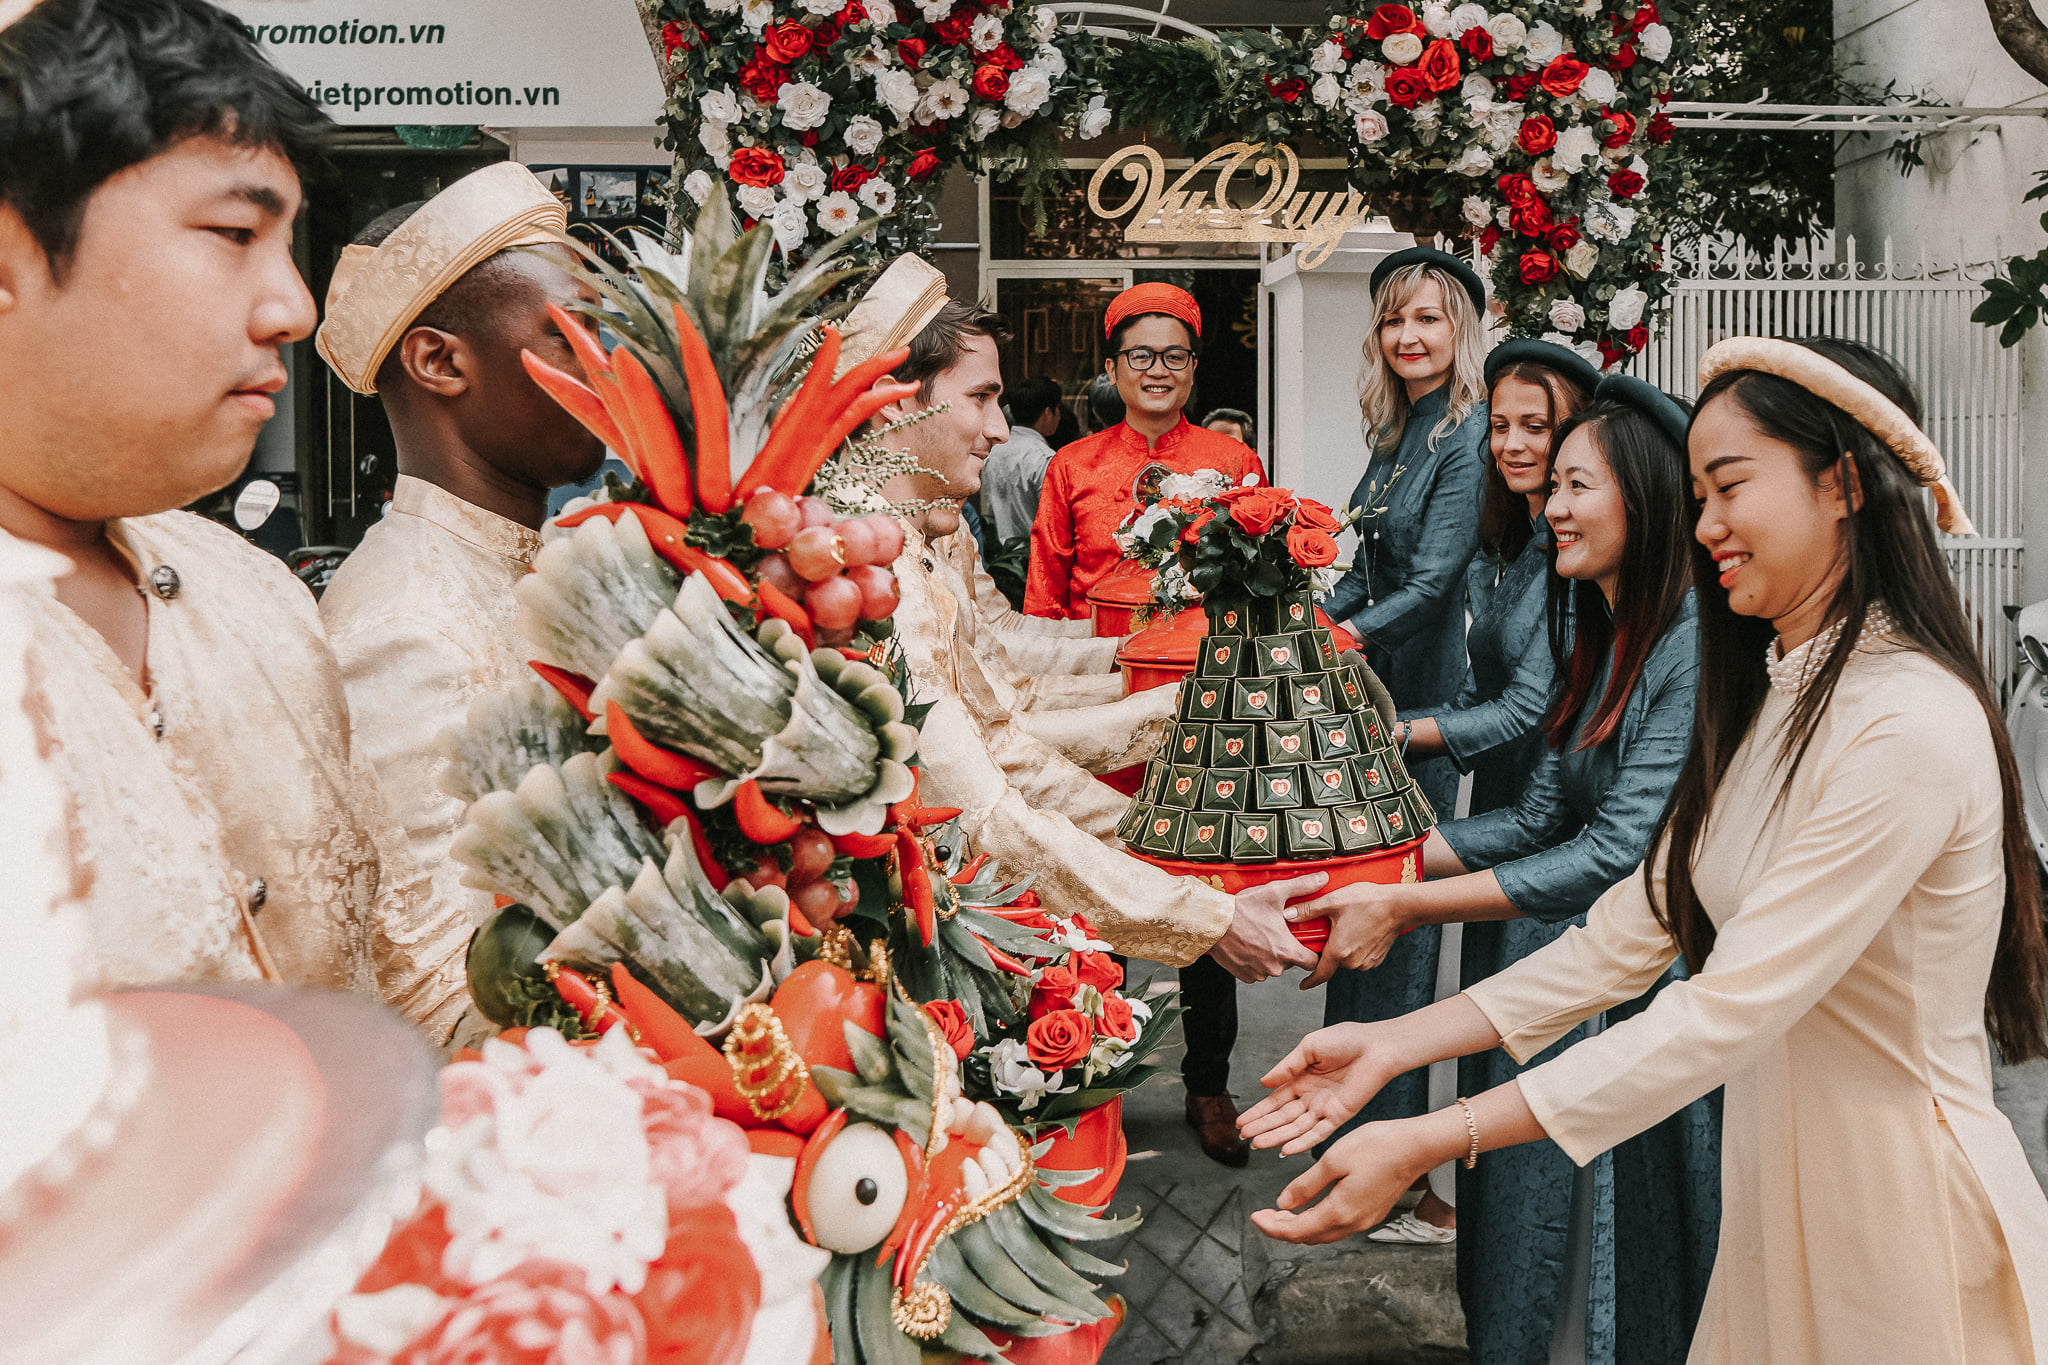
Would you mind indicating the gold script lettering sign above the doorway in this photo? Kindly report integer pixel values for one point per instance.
(1164, 212)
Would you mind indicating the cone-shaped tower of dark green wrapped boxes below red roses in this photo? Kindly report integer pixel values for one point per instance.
(1277, 752)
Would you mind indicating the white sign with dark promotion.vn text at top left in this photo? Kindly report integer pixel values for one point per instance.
(493, 62)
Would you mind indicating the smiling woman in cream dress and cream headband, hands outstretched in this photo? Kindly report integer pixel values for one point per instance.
(1846, 871)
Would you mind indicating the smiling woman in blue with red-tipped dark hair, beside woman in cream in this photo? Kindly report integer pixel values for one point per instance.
(1609, 1262)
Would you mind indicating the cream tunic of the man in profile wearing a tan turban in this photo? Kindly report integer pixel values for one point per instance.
(423, 621)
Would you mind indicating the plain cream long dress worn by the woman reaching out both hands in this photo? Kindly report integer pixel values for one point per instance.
(1875, 1204)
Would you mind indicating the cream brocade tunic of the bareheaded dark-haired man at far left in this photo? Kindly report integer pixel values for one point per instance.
(226, 803)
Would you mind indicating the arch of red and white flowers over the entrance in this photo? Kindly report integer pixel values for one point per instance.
(1533, 128)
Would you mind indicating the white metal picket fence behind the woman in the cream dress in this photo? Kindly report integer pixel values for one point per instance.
(1920, 314)
